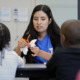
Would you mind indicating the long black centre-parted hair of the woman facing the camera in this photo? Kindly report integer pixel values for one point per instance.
(53, 28)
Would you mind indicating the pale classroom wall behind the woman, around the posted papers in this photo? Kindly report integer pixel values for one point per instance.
(62, 10)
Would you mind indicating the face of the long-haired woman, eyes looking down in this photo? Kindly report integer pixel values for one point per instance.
(41, 21)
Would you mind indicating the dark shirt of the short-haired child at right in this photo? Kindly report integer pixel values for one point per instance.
(65, 63)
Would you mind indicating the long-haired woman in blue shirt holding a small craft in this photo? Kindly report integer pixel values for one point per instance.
(42, 27)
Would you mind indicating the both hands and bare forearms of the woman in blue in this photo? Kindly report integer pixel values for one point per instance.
(35, 50)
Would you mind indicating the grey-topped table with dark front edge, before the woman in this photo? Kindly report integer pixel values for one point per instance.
(34, 70)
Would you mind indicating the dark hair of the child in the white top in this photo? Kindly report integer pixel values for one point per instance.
(4, 36)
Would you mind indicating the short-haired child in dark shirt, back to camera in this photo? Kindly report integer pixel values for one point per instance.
(65, 63)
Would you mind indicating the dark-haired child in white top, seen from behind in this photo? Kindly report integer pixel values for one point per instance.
(9, 60)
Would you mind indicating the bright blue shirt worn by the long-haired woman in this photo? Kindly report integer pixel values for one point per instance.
(44, 45)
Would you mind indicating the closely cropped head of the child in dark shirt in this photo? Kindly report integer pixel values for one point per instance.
(70, 34)
